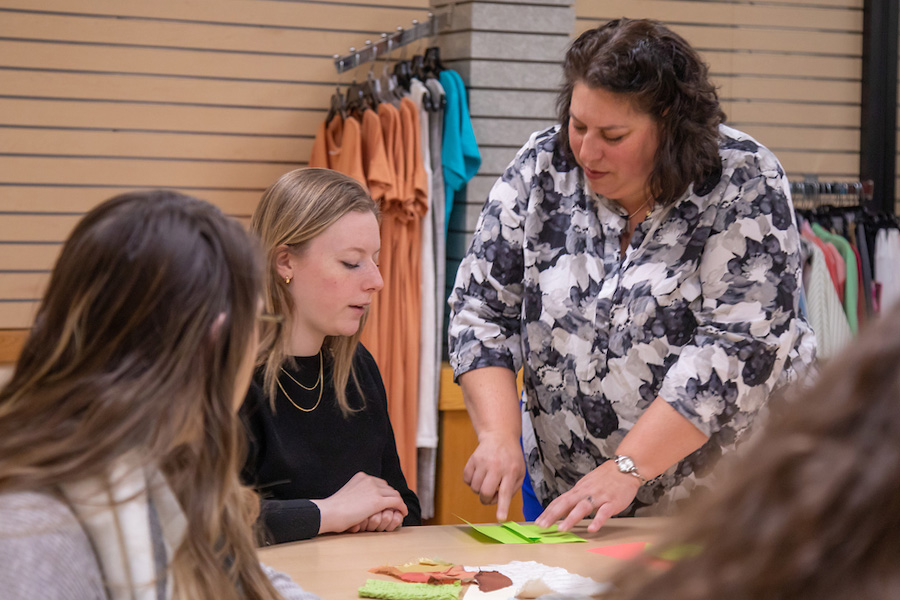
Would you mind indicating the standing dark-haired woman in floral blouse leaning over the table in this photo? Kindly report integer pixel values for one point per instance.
(640, 262)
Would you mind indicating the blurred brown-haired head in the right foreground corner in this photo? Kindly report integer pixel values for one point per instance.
(812, 510)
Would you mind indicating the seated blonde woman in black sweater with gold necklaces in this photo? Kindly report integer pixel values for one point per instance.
(323, 454)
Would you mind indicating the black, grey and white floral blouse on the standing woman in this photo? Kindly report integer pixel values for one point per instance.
(702, 310)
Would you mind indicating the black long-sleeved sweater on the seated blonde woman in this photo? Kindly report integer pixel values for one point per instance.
(296, 456)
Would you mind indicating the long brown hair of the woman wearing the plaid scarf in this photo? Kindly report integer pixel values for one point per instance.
(137, 348)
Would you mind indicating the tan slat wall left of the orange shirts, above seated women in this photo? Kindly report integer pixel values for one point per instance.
(214, 97)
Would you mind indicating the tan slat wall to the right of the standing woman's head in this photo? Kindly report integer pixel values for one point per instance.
(788, 71)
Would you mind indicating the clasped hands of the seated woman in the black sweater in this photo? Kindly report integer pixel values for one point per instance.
(361, 498)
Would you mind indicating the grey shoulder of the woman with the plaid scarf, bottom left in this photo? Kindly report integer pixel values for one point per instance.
(44, 551)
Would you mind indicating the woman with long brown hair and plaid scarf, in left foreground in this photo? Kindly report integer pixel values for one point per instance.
(120, 444)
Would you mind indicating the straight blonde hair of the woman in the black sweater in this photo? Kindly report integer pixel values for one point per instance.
(294, 210)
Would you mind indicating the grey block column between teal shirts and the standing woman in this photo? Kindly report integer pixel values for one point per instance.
(509, 56)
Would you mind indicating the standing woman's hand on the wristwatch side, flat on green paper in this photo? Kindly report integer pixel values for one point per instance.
(605, 490)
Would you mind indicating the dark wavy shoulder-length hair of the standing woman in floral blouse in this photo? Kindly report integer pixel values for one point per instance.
(665, 78)
